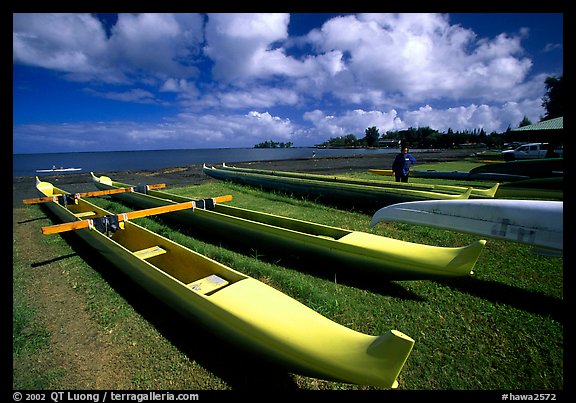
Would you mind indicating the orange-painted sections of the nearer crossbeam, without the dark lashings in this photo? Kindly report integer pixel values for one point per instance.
(71, 226)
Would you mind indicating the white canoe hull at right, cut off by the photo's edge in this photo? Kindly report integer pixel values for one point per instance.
(534, 222)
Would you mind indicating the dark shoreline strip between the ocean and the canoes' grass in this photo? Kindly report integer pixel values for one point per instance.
(23, 187)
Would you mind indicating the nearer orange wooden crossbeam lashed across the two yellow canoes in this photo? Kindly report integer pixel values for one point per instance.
(113, 219)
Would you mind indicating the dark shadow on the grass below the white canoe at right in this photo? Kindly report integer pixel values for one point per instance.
(529, 301)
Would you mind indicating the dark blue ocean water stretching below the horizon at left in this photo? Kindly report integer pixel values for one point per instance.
(101, 162)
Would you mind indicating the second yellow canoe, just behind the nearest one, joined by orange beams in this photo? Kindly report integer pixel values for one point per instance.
(323, 246)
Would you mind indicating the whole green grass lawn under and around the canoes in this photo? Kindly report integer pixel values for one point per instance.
(498, 329)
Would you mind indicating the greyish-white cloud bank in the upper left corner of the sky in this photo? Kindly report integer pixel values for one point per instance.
(141, 46)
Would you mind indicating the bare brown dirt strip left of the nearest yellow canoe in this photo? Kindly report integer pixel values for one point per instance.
(78, 347)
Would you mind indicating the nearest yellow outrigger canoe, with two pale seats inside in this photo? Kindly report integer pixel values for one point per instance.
(235, 306)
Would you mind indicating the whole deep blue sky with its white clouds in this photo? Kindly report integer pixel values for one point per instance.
(86, 82)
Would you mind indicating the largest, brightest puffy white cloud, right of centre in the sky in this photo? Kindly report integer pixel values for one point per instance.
(422, 57)
